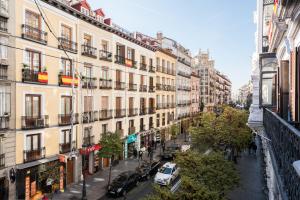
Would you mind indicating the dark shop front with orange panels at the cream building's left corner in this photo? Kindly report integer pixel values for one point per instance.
(40, 177)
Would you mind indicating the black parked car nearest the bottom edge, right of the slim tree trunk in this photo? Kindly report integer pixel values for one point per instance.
(123, 183)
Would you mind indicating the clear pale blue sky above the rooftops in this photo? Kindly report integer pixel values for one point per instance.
(224, 26)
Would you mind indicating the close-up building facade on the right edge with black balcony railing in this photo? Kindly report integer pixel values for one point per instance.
(274, 113)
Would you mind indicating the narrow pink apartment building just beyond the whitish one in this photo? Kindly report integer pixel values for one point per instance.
(195, 94)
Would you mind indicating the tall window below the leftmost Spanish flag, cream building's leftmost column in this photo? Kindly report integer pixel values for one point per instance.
(33, 105)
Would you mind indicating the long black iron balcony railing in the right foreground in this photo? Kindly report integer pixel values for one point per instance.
(285, 143)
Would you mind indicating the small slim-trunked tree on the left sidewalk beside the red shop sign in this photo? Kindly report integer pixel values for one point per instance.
(111, 144)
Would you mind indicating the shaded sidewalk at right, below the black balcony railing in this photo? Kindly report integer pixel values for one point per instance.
(251, 173)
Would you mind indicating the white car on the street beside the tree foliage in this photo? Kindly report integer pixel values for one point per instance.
(166, 174)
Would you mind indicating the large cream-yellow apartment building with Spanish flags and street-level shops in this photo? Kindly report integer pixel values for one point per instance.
(94, 78)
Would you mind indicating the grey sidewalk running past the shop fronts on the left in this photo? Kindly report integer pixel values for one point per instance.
(96, 184)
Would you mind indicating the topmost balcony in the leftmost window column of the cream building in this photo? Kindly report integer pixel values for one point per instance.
(34, 34)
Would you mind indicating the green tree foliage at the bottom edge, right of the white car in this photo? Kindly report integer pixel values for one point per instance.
(204, 177)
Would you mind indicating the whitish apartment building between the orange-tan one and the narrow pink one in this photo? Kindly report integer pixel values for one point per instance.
(183, 78)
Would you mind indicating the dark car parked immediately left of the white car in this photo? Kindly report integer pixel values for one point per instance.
(146, 170)
